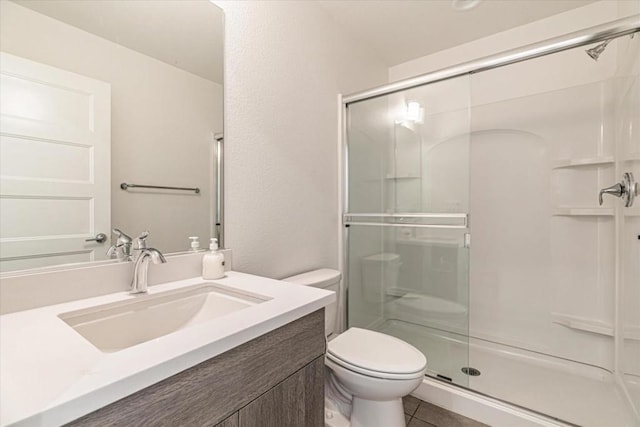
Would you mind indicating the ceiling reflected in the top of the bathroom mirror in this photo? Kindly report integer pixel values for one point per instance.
(187, 34)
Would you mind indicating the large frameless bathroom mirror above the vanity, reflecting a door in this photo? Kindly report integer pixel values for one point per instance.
(97, 94)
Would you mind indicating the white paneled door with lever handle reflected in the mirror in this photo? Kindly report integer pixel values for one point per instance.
(55, 162)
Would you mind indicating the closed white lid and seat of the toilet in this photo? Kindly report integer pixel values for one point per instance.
(375, 352)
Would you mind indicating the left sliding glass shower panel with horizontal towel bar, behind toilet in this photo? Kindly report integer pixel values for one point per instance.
(407, 221)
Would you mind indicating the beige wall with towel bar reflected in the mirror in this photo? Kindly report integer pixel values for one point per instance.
(162, 123)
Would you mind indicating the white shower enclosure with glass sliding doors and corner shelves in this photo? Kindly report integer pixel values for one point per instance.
(474, 230)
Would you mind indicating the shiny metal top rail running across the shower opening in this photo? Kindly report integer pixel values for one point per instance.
(607, 31)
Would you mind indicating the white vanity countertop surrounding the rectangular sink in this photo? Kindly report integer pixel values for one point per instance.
(50, 375)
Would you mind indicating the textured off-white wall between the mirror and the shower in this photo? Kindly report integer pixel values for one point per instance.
(286, 62)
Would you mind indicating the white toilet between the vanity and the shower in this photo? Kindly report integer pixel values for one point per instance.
(368, 372)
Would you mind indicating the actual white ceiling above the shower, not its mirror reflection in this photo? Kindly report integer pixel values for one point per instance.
(401, 30)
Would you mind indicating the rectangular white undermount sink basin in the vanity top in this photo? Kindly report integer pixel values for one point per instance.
(116, 326)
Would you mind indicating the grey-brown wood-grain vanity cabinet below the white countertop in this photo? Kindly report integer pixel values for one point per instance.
(274, 380)
